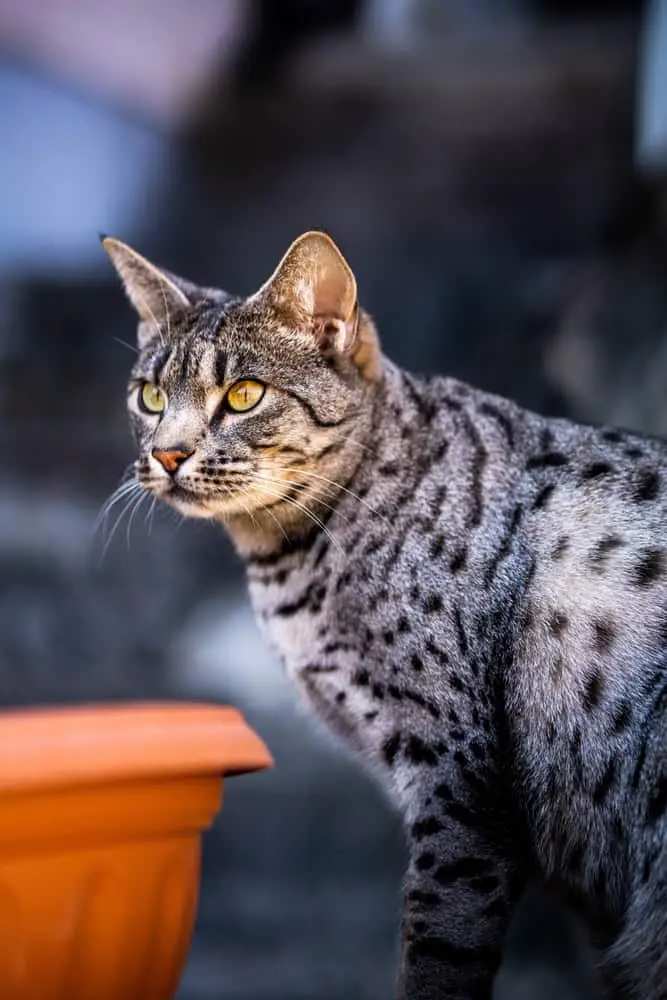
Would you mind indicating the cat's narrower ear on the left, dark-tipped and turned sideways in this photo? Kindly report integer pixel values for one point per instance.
(155, 294)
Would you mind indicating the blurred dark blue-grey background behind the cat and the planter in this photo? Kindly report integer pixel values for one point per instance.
(496, 173)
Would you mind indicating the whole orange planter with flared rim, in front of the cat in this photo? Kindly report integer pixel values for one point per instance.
(101, 815)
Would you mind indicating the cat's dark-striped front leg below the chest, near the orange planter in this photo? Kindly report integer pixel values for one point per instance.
(460, 893)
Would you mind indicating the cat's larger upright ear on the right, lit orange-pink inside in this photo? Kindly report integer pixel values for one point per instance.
(315, 288)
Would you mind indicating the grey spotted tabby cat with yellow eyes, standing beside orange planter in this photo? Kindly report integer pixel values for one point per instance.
(472, 597)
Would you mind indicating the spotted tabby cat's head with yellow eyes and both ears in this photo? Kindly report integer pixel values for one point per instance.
(250, 408)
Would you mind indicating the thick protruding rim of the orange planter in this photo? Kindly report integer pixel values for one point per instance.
(92, 744)
